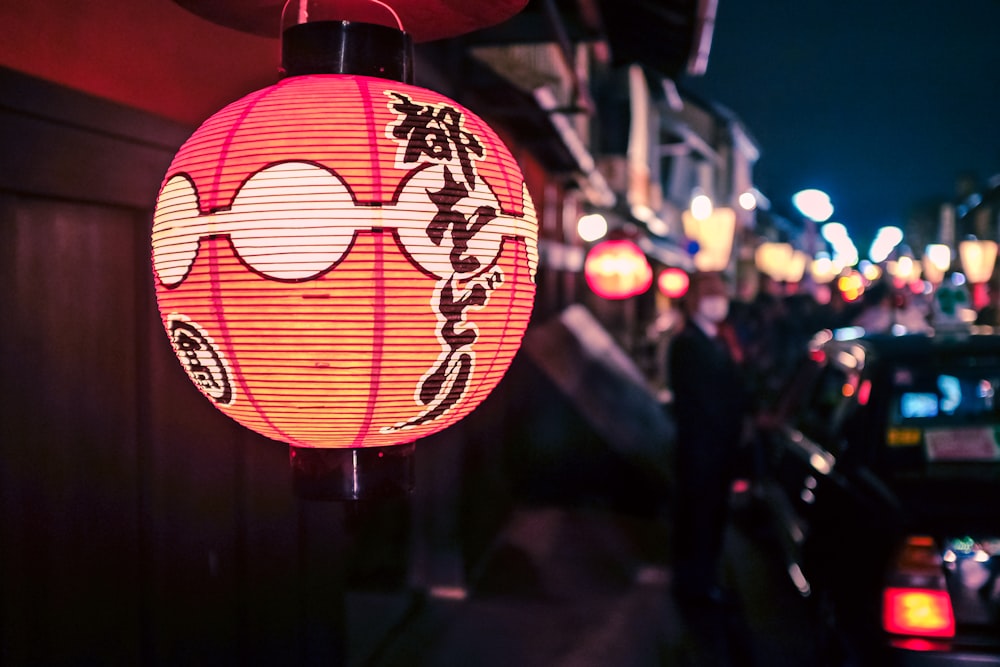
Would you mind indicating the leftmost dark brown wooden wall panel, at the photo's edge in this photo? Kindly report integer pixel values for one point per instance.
(68, 494)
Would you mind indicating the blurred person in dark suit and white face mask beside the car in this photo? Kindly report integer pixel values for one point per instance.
(710, 407)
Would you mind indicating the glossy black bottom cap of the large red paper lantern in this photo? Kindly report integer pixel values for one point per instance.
(352, 473)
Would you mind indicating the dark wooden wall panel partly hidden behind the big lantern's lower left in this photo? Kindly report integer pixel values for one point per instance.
(193, 460)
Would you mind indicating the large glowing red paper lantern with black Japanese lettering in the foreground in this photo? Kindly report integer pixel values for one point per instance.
(344, 263)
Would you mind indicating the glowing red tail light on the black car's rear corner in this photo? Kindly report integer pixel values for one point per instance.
(916, 601)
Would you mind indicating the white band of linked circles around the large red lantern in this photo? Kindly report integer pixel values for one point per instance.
(287, 246)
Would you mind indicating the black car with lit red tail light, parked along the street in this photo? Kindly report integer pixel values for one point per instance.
(881, 471)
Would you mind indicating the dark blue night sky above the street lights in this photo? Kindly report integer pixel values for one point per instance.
(882, 104)
